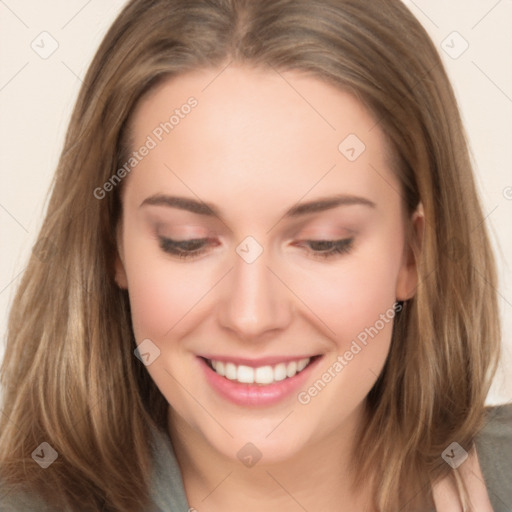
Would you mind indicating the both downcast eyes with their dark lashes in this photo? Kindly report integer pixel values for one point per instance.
(176, 248)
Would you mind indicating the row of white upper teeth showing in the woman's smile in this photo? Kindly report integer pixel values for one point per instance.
(261, 375)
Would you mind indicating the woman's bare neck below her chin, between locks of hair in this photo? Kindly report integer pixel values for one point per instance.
(317, 477)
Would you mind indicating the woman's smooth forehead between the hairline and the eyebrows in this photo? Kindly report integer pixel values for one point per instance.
(259, 132)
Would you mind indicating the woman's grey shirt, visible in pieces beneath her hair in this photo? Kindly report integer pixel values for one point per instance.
(494, 448)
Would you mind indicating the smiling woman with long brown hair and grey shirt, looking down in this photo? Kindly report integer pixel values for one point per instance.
(263, 280)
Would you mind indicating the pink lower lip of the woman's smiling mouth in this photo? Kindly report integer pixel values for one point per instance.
(256, 394)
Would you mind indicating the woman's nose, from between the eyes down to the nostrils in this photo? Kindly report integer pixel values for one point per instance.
(254, 302)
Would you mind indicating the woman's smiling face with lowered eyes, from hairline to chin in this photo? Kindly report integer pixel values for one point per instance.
(262, 226)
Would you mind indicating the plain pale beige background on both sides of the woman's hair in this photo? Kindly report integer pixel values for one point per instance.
(37, 94)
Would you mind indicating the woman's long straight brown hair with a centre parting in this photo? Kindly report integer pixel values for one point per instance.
(69, 375)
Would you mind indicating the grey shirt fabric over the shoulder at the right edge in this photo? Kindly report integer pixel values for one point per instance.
(494, 448)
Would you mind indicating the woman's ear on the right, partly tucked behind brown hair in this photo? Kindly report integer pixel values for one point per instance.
(408, 274)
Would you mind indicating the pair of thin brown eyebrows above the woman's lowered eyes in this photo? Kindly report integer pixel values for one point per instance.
(208, 209)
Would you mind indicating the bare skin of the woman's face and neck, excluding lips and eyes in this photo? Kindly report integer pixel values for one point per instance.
(253, 147)
